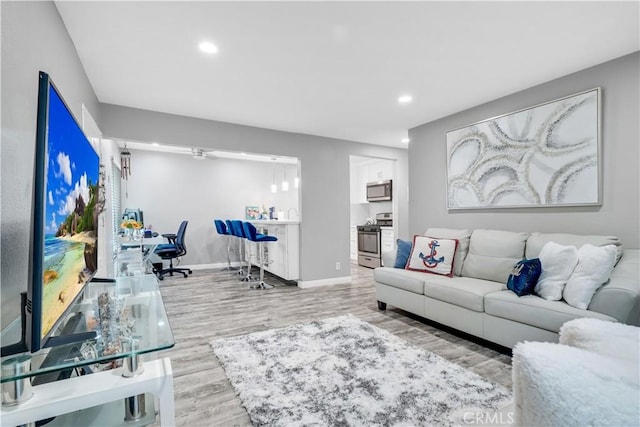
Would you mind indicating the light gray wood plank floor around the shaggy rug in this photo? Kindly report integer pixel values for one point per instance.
(212, 304)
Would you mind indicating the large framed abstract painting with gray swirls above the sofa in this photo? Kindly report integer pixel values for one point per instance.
(542, 156)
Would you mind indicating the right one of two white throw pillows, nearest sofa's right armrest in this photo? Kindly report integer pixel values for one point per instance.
(595, 264)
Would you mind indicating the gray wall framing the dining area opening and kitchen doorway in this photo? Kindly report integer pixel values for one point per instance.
(324, 166)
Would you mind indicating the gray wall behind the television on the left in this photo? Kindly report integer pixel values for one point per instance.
(33, 38)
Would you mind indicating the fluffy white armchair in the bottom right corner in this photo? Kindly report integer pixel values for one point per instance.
(591, 378)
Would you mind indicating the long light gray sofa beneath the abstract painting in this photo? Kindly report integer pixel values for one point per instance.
(476, 300)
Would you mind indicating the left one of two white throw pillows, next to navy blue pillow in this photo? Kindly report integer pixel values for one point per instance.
(558, 262)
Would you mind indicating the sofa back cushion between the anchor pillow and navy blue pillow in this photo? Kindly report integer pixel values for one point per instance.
(493, 253)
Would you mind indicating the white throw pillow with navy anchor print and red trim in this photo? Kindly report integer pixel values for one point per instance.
(432, 255)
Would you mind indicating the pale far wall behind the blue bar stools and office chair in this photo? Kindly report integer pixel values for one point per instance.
(169, 188)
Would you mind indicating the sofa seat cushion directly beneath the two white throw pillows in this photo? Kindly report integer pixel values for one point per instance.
(535, 311)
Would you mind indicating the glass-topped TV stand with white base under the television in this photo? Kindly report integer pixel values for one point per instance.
(137, 313)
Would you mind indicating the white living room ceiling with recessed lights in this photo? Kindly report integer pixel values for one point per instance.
(336, 69)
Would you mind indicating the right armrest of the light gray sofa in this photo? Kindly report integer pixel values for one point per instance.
(620, 298)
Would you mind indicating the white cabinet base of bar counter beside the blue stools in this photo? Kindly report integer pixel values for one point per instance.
(282, 257)
